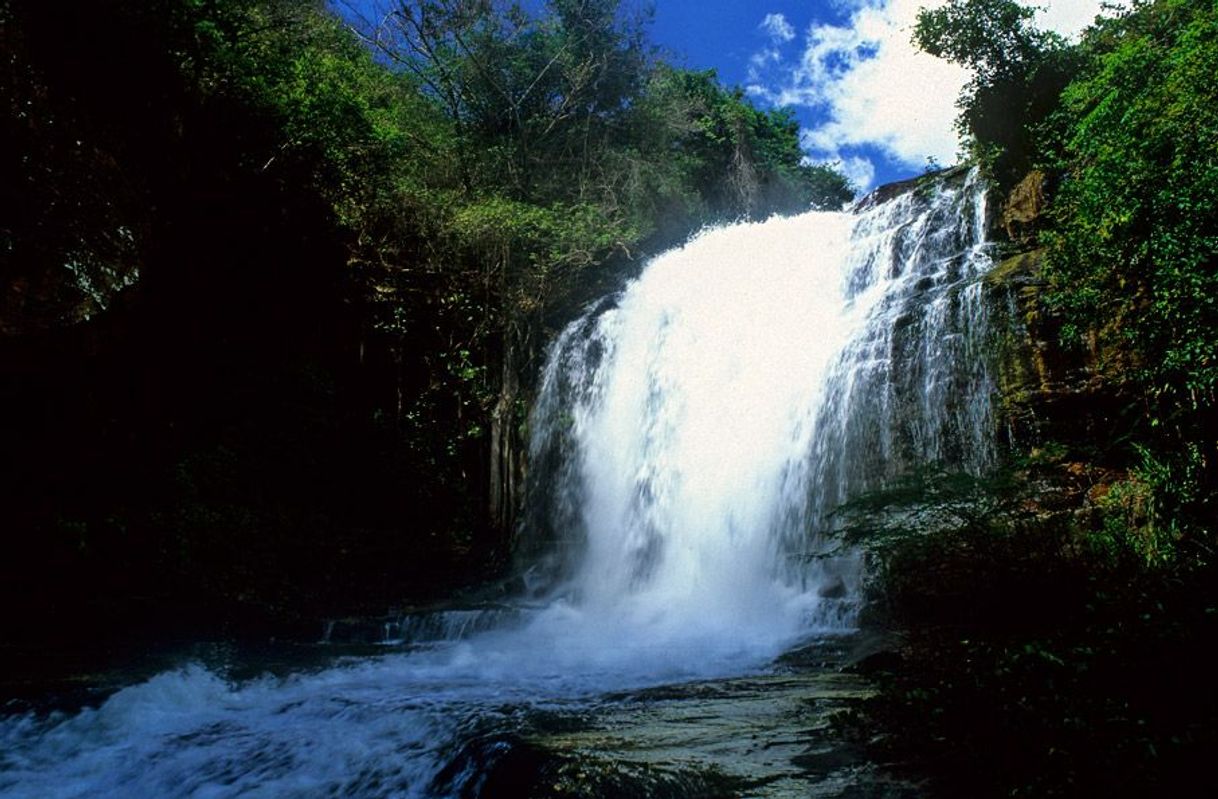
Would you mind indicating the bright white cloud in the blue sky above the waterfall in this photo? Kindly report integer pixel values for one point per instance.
(871, 87)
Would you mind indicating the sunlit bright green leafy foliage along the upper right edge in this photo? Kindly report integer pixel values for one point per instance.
(1135, 253)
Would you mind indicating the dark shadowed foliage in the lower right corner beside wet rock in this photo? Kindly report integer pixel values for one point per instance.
(1043, 642)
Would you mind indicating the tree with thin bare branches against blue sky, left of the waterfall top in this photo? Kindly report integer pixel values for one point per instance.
(534, 96)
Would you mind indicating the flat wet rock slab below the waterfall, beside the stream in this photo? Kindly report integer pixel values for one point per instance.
(767, 736)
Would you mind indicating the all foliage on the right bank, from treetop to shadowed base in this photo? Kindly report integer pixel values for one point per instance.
(1063, 622)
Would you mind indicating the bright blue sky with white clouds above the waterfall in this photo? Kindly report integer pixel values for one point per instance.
(868, 102)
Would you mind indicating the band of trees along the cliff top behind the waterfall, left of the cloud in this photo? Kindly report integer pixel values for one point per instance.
(566, 108)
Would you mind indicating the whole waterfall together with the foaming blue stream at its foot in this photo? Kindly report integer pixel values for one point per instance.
(686, 612)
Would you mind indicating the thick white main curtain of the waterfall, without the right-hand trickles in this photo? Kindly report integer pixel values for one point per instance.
(695, 396)
